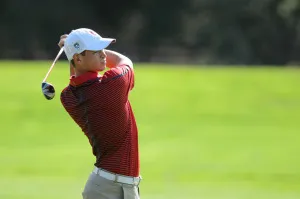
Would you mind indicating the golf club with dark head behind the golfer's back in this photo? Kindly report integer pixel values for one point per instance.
(47, 88)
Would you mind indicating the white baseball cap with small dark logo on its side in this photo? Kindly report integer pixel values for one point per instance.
(83, 39)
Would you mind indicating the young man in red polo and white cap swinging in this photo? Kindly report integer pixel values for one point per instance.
(100, 106)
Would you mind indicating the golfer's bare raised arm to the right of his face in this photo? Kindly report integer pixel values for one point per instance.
(115, 59)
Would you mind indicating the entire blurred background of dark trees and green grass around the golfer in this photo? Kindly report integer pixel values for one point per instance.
(216, 97)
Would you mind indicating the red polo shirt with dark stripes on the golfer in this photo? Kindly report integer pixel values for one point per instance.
(100, 106)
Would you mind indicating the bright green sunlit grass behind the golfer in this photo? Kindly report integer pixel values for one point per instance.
(213, 133)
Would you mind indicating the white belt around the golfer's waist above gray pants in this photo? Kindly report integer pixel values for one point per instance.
(116, 177)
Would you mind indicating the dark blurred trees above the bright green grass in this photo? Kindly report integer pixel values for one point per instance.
(181, 31)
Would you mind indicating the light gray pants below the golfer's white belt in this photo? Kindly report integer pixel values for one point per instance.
(98, 187)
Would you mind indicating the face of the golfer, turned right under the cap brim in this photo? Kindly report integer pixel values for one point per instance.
(91, 61)
